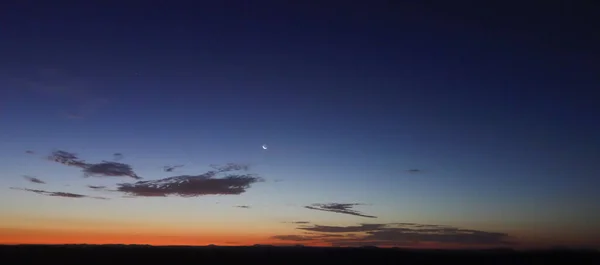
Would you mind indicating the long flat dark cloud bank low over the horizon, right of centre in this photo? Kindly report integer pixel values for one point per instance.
(399, 234)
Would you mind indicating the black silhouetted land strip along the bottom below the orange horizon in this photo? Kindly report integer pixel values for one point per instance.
(144, 254)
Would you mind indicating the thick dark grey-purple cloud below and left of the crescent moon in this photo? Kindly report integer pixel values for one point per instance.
(191, 185)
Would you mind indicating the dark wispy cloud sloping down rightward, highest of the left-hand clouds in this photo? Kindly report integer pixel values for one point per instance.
(102, 169)
